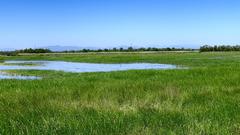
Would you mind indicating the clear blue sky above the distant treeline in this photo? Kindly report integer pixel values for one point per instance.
(113, 23)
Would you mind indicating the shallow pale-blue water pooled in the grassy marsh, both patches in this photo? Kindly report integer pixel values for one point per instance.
(75, 67)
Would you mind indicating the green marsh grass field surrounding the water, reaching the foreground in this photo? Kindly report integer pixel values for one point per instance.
(203, 98)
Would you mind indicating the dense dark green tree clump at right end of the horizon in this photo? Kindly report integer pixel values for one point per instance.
(215, 48)
